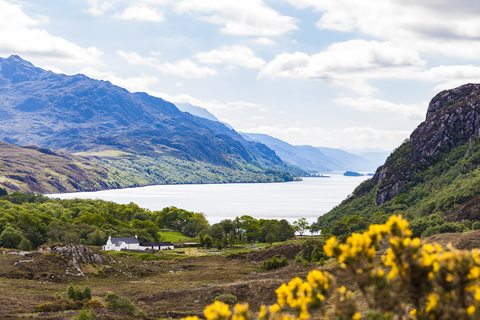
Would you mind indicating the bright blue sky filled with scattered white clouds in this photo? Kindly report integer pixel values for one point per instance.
(331, 73)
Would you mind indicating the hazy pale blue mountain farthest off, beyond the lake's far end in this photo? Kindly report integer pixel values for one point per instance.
(311, 158)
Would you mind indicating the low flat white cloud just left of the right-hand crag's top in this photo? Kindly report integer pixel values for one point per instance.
(368, 104)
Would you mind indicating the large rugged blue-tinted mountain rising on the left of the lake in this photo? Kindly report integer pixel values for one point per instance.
(77, 114)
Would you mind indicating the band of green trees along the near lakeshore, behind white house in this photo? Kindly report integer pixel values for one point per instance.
(28, 220)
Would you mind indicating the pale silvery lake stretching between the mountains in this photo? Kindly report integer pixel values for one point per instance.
(308, 199)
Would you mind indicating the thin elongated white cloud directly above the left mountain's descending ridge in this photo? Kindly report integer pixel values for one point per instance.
(184, 68)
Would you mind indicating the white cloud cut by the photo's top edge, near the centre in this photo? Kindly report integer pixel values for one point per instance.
(247, 17)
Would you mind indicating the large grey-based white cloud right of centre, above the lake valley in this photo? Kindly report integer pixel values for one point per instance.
(348, 64)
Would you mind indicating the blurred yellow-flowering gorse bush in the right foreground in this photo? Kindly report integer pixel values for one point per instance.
(413, 280)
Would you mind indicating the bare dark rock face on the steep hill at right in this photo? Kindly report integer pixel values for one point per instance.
(453, 118)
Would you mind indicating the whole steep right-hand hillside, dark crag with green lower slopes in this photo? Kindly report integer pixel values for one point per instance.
(435, 174)
